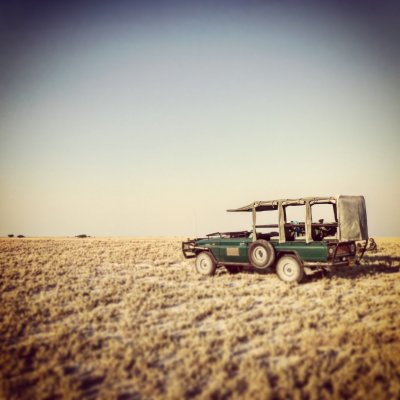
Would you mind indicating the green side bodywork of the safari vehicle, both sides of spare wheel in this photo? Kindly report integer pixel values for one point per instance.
(235, 250)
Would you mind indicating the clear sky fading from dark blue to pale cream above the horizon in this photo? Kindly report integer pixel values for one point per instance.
(152, 118)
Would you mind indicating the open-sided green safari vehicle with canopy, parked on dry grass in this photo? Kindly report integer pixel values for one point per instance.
(288, 245)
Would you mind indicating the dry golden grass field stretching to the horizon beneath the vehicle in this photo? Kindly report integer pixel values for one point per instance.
(131, 319)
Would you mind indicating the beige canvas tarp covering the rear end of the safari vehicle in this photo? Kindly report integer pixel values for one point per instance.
(352, 218)
